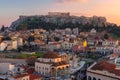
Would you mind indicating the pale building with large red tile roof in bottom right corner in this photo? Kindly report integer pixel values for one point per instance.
(103, 71)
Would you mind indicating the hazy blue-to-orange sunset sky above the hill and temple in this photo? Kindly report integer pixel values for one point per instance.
(11, 9)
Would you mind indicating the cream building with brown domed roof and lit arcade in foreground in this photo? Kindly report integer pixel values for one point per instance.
(52, 64)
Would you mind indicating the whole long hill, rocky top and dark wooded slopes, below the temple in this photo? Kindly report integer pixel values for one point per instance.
(51, 23)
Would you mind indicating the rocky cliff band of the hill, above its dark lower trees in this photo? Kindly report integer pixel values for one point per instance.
(59, 21)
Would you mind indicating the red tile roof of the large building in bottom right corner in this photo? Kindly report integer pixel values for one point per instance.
(106, 66)
